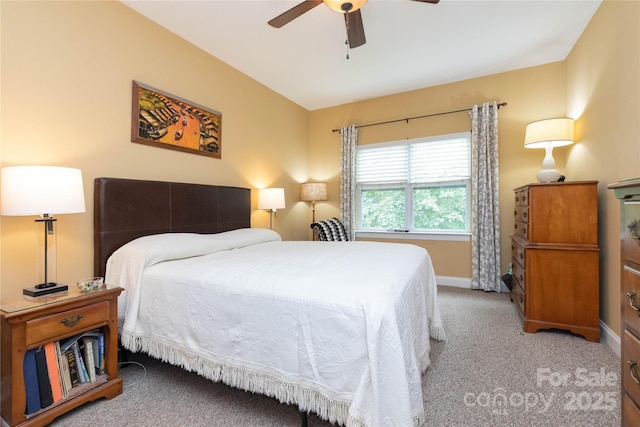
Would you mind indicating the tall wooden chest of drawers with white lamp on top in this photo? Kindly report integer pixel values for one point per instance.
(555, 257)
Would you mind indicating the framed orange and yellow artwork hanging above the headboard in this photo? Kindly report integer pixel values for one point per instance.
(163, 120)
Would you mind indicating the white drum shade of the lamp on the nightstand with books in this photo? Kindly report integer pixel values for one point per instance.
(39, 190)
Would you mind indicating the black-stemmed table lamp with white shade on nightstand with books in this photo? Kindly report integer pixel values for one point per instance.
(43, 191)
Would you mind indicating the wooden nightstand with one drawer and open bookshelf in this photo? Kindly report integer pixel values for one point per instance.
(32, 322)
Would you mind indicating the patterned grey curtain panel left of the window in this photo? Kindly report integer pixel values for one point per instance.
(349, 142)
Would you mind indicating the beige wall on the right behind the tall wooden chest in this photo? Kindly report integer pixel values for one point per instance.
(603, 92)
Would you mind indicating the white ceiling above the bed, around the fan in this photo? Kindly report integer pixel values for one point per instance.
(410, 45)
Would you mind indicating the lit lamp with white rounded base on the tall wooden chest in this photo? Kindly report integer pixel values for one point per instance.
(548, 134)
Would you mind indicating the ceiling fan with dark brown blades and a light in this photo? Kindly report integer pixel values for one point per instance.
(350, 10)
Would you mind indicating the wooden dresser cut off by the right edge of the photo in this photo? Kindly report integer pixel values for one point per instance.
(629, 194)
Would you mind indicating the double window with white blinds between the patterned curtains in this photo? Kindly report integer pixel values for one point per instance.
(417, 185)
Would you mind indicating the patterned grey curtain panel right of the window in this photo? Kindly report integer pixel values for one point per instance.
(485, 220)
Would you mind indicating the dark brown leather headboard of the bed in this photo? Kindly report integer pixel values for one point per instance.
(125, 209)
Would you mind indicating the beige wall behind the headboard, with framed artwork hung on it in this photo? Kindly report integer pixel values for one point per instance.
(67, 71)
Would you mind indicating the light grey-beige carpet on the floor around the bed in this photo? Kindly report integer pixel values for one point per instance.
(487, 373)
